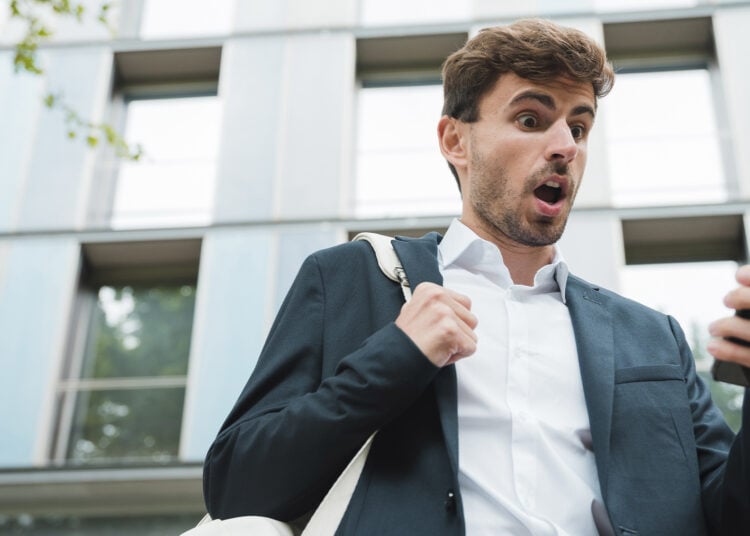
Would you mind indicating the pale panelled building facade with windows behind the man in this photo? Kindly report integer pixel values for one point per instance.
(135, 296)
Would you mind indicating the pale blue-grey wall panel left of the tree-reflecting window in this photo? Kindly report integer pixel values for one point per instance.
(36, 292)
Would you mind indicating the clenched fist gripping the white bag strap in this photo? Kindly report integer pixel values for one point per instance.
(440, 323)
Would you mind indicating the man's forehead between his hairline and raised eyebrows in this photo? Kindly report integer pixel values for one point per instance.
(560, 93)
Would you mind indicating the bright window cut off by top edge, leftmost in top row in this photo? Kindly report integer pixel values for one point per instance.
(185, 18)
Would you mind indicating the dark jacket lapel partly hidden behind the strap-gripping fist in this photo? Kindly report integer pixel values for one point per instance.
(419, 260)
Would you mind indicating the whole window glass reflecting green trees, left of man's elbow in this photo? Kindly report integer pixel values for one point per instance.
(122, 399)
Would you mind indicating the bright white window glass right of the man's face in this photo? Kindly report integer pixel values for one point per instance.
(663, 140)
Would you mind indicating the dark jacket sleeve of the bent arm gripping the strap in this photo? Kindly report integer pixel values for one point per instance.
(294, 428)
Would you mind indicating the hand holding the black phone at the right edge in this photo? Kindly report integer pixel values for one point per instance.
(733, 326)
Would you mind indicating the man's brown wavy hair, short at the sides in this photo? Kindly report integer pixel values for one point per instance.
(534, 49)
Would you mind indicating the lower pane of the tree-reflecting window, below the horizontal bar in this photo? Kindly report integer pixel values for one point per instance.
(135, 425)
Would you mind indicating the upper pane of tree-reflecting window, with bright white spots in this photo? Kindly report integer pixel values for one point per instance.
(140, 332)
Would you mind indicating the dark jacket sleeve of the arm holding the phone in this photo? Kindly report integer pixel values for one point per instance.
(725, 478)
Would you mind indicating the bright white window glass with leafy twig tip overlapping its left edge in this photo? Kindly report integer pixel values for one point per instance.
(173, 184)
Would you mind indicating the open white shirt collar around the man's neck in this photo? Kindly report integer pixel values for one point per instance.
(462, 247)
